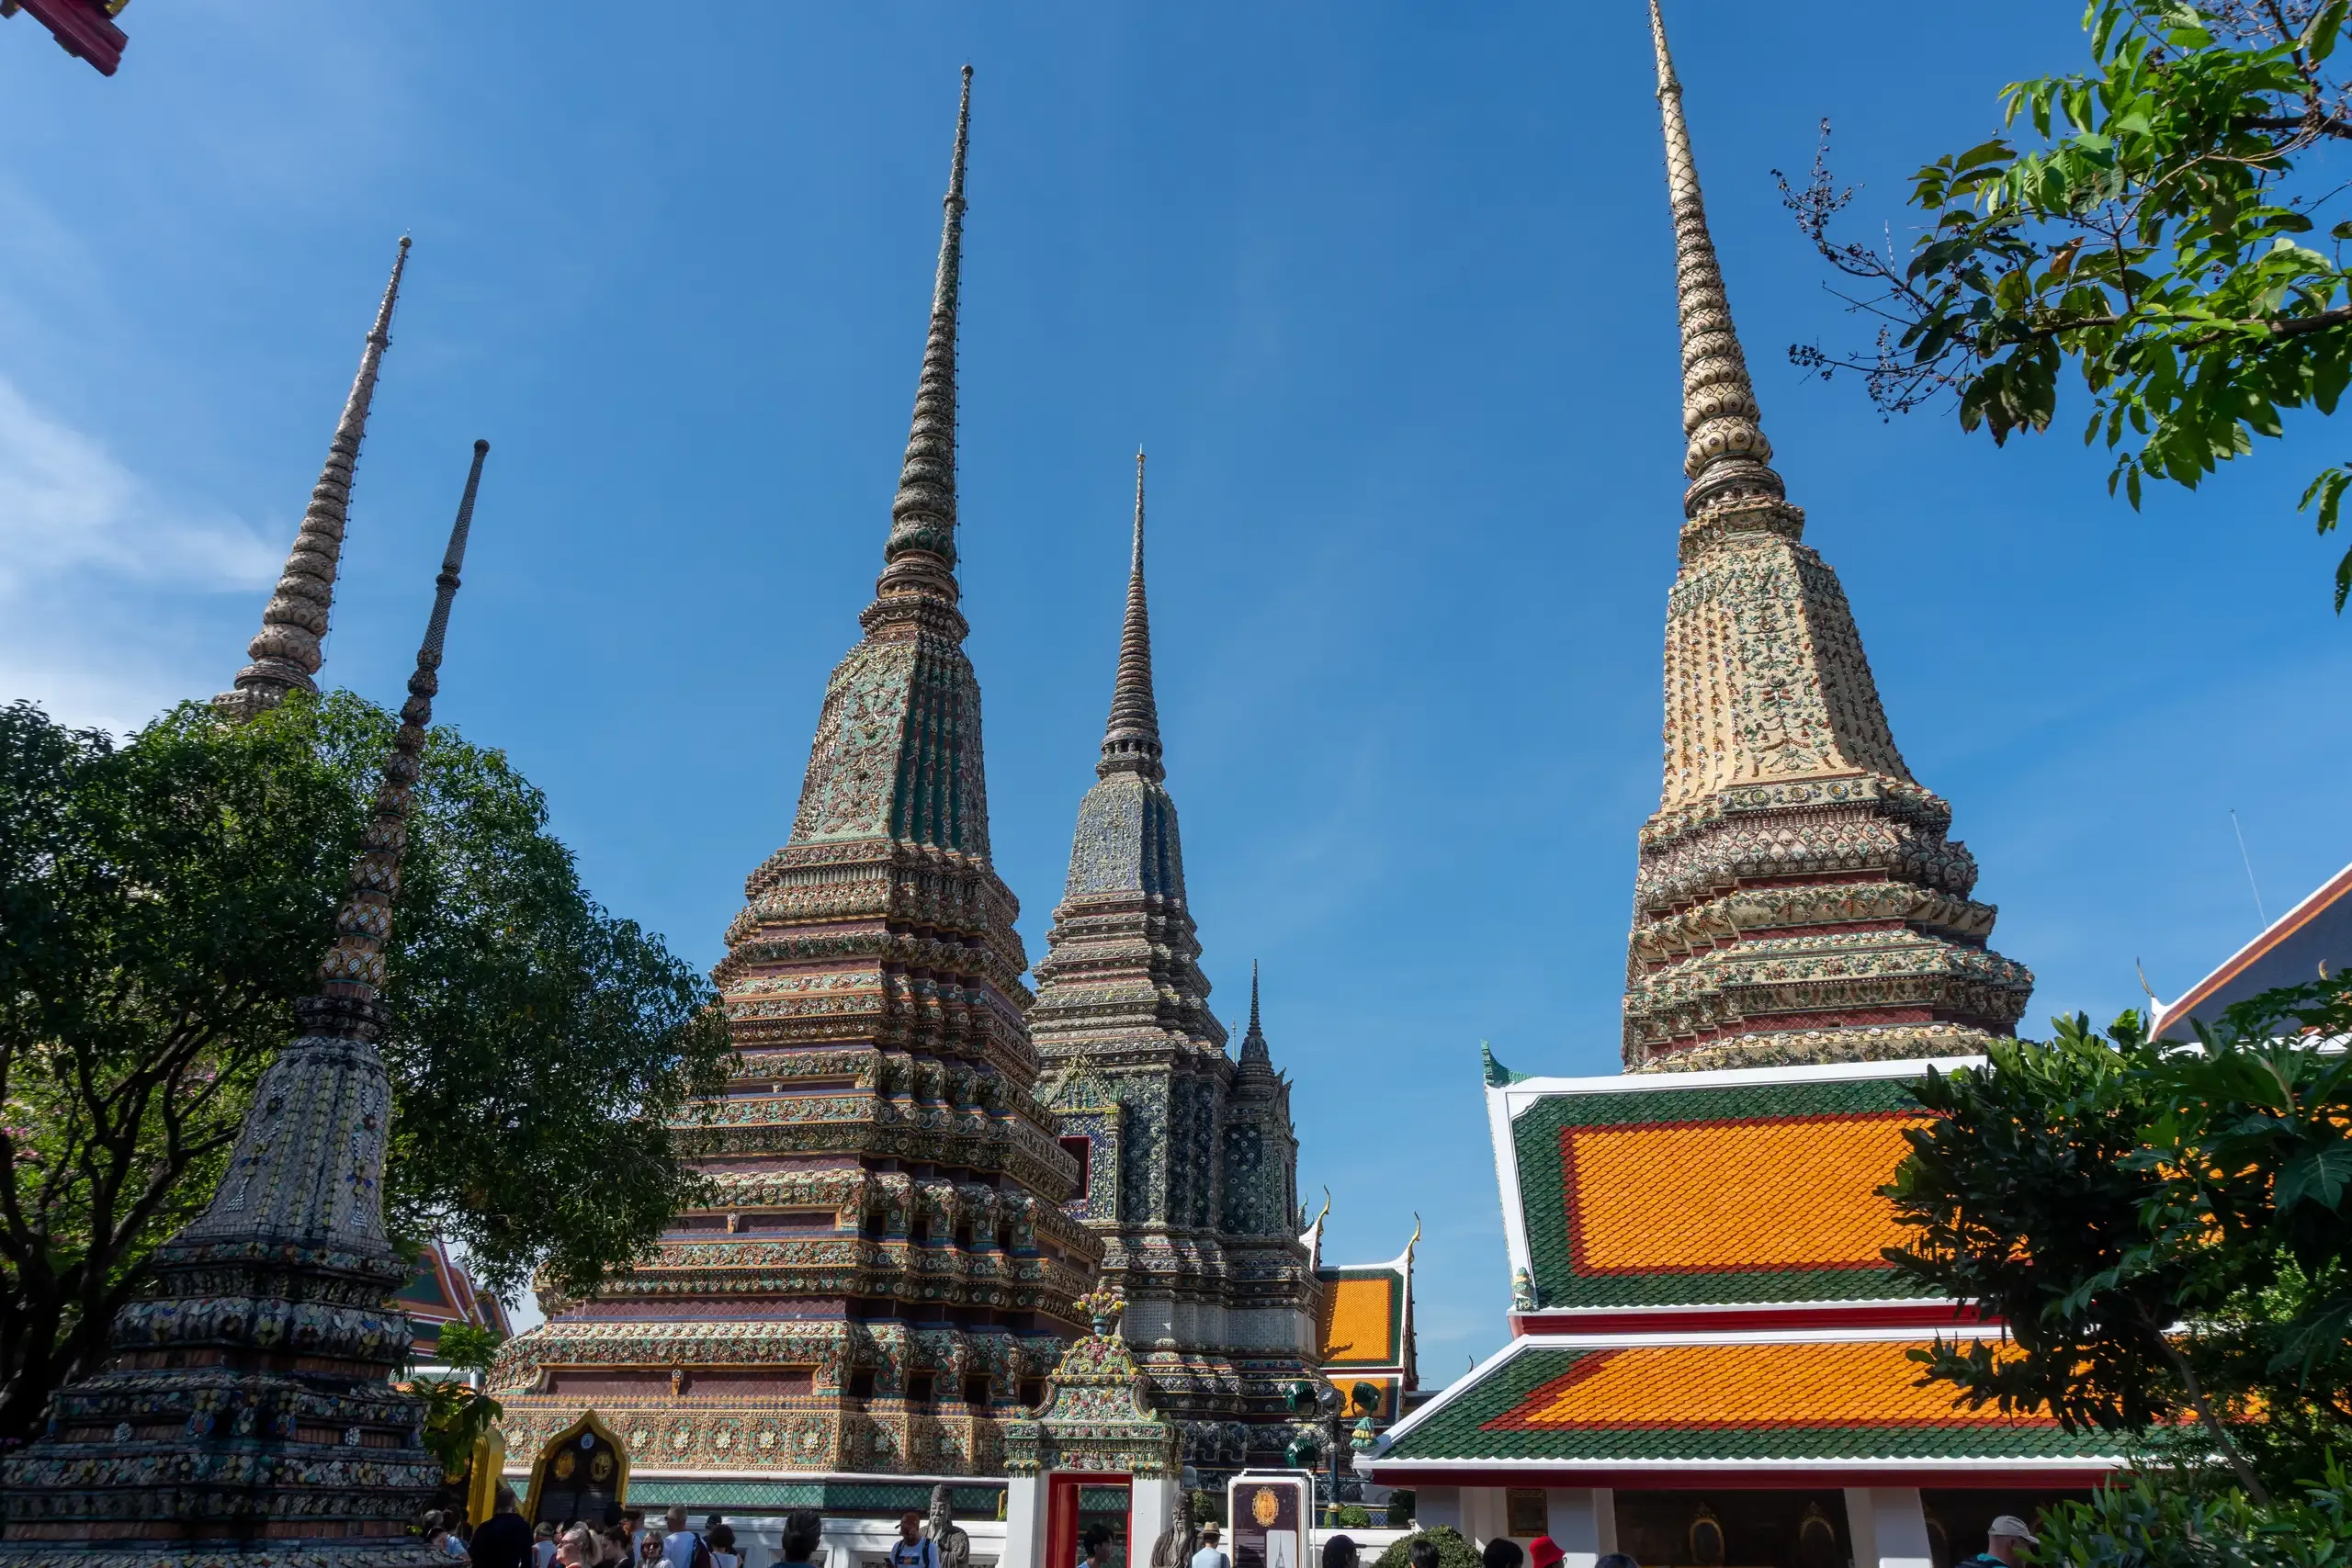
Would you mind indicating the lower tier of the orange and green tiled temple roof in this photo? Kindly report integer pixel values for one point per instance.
(1728, 1402)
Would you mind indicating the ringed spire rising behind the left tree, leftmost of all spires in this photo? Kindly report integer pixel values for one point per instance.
(295, 622)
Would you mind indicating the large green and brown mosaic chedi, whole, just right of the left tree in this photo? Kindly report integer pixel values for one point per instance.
(886, 1271)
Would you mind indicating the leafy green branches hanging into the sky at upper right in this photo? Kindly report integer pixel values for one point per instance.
(2158, 234)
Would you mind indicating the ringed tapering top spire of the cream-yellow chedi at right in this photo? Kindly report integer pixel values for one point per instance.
(1720, 417)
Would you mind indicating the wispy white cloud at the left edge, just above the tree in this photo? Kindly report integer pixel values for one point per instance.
(98, 570)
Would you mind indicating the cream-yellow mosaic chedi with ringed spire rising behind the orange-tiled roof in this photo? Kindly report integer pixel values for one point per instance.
(1798, 897)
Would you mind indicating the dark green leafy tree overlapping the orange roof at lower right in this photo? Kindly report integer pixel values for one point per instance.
(2165, 1233)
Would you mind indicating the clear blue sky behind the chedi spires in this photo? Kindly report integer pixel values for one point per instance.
(1384, 290)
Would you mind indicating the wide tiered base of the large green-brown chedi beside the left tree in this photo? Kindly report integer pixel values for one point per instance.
(886, 1273)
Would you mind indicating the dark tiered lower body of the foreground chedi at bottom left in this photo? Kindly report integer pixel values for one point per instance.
(248, 1412)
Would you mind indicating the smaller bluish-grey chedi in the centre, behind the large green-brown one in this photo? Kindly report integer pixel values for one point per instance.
(1194, 1165)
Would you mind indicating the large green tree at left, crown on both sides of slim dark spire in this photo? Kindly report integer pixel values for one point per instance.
(163, 904)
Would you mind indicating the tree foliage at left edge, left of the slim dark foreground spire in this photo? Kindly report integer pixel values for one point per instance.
(159, 906)
